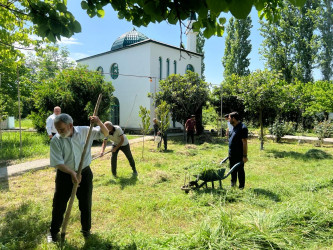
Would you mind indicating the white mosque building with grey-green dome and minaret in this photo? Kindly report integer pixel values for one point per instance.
(134, 65)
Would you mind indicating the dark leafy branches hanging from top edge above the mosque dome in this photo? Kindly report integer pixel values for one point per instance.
(208, 11)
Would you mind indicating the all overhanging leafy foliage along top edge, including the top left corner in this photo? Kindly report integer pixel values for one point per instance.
(52, 19)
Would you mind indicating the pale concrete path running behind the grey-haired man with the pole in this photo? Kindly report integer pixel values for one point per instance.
(17, 169)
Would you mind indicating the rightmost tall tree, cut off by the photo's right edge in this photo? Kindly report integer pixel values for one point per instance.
(326, 30)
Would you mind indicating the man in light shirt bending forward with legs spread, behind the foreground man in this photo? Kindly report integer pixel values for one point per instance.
(120, 142)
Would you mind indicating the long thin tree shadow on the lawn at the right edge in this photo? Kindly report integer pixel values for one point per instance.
(310, 154)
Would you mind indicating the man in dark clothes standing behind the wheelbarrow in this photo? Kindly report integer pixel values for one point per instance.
(237, 149)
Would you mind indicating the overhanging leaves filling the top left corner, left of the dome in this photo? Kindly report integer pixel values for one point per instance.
(52, 19)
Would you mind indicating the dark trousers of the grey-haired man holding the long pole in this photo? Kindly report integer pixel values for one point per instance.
(63, 190)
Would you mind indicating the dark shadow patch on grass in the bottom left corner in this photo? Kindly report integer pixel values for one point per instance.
(23, 227)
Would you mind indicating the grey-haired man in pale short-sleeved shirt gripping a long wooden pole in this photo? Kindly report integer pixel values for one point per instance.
(66, 149)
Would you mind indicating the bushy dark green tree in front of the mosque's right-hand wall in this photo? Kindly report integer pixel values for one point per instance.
(185, 94)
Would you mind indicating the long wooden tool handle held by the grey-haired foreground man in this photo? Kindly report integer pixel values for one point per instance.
(75, 185)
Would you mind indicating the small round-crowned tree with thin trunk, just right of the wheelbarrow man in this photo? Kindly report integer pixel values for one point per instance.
(262, 90)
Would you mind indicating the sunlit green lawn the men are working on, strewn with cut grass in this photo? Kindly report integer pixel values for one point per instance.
(287, 202)
